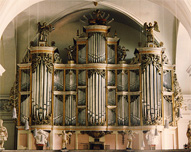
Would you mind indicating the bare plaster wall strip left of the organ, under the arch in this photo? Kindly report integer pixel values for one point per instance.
(8, 59)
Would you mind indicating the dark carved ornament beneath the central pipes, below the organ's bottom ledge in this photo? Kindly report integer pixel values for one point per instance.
(96, 134)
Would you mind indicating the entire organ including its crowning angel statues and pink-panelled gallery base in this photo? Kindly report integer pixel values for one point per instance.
(98, 95)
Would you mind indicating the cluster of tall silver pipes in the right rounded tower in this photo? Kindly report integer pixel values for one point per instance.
(151, 93)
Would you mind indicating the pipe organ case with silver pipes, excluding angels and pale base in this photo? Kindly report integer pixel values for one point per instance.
(98, 89)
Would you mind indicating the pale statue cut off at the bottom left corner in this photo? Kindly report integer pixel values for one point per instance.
(3, 134)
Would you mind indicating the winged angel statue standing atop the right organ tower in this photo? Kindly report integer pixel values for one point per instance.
(149, 30)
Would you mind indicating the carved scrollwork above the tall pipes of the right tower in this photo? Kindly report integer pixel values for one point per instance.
(151, 59)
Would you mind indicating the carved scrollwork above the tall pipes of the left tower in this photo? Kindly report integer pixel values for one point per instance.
(46, 58)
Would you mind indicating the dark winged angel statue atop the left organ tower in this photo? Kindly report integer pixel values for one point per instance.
(44, 30)
